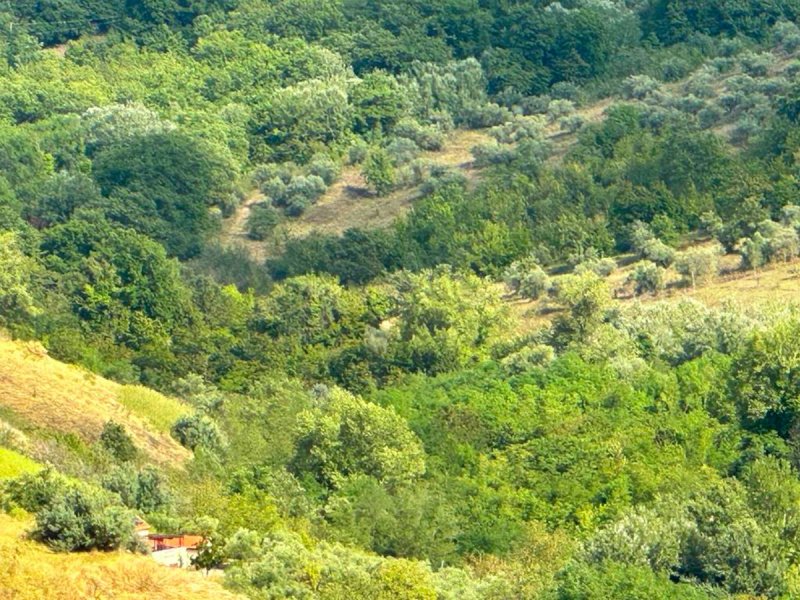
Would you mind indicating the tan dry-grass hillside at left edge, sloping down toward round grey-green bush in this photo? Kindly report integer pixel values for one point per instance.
(55, 396)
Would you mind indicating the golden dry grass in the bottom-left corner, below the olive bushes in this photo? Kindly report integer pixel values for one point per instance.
(29, 571)
